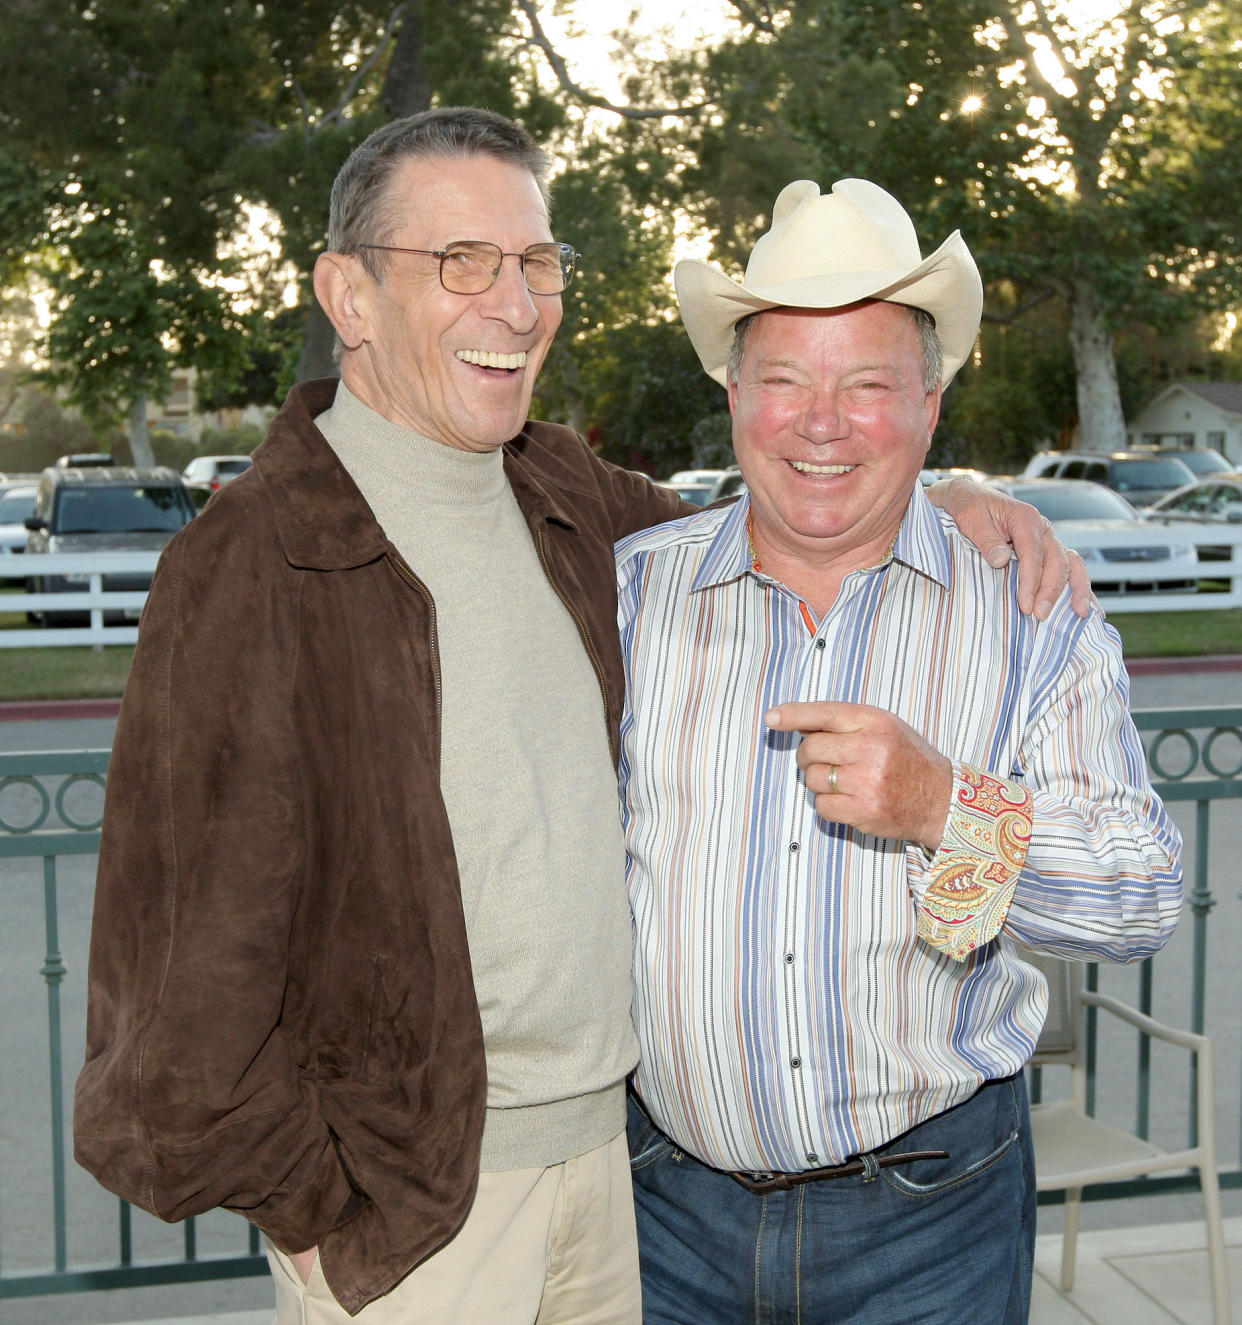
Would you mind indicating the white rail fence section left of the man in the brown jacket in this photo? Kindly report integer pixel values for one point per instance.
(124, 606)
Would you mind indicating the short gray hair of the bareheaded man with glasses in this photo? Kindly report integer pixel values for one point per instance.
(361, 209)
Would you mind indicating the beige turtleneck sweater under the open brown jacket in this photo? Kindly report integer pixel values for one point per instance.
(530, 788)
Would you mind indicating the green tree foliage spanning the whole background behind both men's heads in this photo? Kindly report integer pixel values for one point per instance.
(136, 133)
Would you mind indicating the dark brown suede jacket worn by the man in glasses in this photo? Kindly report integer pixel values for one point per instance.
(282, 1017)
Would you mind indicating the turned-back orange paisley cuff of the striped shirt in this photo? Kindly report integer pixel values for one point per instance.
(970, 883)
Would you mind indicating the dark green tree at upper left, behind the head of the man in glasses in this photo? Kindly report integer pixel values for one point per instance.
(140, 133)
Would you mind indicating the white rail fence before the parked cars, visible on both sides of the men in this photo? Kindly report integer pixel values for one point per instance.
(128, 604)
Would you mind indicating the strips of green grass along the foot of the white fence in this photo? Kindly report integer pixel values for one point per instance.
(87, 674)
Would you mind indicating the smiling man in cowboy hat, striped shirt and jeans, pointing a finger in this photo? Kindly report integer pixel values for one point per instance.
(854, 776)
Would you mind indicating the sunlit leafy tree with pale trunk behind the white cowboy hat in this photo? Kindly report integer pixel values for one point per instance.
(1107, 185)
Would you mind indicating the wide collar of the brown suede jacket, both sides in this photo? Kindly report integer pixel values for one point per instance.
(323, 520)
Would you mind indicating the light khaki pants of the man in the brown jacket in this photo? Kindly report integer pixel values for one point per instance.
(540, 1247)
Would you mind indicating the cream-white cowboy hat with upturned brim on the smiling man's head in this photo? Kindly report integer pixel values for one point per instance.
(825, 251)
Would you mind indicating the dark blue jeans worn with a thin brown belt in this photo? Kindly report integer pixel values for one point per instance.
(936, 1241)
